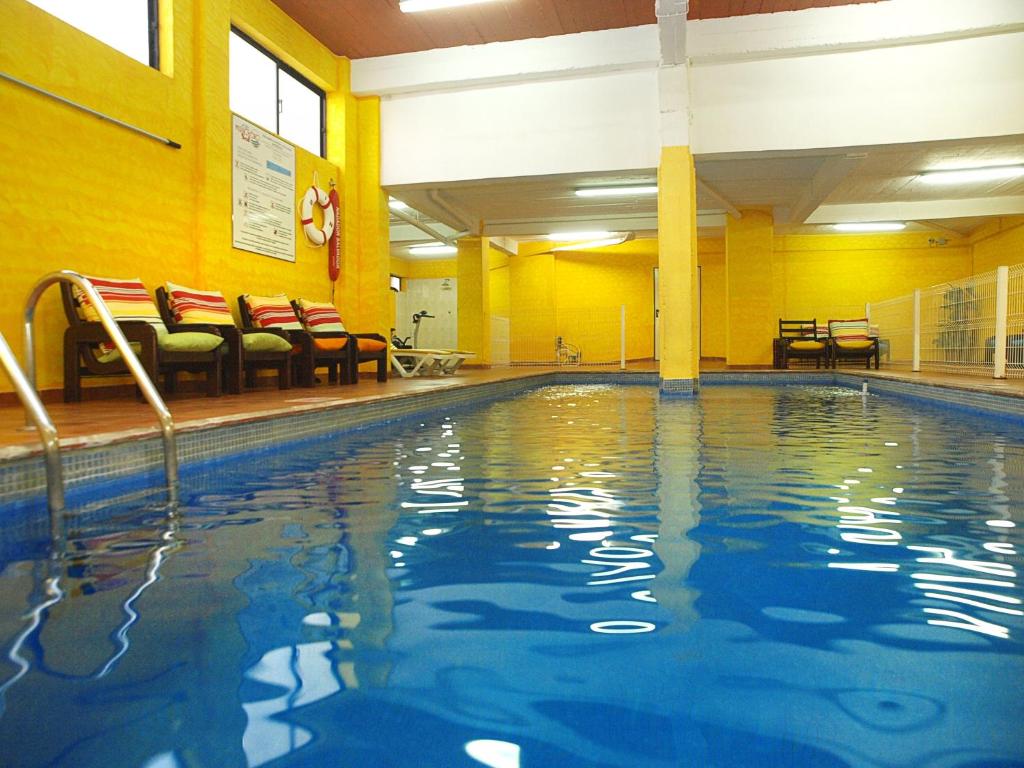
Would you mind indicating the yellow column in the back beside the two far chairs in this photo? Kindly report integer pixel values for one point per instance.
(752, 321)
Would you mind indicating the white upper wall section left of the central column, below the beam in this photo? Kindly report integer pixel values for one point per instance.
(599, 123)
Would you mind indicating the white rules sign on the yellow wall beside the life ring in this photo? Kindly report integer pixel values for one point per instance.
(263, 192)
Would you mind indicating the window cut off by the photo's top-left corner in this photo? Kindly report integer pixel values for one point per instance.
(130, 26)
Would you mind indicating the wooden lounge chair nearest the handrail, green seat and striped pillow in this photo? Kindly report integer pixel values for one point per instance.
(161, 349)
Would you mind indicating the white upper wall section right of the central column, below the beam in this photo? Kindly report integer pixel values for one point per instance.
(951, 90)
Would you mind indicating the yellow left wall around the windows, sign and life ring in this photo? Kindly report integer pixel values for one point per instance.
(79, 193)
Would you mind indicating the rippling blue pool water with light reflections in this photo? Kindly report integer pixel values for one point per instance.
(584, 576)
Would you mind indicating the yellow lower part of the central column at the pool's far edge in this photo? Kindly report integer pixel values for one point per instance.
(677, 235)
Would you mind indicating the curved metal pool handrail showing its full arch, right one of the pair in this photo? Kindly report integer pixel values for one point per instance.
(127, 355)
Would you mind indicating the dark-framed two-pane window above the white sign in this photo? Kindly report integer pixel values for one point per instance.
(269, 93)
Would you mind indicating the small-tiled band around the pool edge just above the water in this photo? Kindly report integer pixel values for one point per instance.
(25, 478)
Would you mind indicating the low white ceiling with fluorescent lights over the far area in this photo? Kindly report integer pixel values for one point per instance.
(806, 190)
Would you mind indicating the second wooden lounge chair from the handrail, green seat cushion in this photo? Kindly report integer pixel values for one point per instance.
(249, 351)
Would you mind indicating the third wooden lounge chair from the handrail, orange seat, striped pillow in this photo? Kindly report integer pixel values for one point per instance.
(331, 351)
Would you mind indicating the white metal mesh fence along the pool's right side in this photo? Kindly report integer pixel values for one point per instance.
(974, 326)
